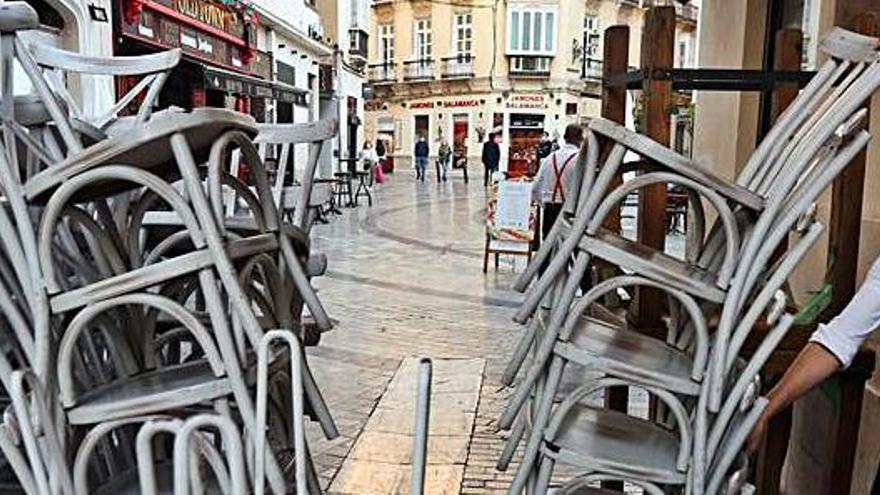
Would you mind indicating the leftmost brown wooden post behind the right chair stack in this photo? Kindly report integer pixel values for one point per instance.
(615, 62)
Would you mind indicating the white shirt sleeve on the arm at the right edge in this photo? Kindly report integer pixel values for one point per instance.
(845, 333)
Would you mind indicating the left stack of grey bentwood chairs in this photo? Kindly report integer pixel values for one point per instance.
(141, 318)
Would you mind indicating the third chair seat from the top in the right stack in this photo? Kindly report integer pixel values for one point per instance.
(630, 355)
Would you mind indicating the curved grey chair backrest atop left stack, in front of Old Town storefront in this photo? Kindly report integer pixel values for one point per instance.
(154, 69)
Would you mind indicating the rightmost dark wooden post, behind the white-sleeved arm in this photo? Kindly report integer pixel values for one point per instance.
(844, 234)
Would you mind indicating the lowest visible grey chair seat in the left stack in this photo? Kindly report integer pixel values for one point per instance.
(164, 389)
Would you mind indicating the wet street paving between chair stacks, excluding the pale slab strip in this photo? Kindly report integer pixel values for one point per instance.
(405, 280)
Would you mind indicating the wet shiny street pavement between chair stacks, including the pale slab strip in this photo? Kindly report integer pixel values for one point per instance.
(405, 281)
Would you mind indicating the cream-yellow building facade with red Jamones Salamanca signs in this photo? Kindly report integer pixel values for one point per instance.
(458, 71)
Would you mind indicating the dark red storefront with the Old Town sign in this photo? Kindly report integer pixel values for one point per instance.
(221, 67)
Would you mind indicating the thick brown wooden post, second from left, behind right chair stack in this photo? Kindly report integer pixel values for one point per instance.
(658, 40)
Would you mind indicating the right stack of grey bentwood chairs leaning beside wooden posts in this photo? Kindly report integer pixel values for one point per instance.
(705, 389)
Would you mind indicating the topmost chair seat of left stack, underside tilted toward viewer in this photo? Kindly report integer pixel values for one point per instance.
(148, 147)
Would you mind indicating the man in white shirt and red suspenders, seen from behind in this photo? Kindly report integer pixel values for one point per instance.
(554, 177)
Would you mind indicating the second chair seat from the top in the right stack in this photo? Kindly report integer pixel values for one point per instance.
(655, 264)
